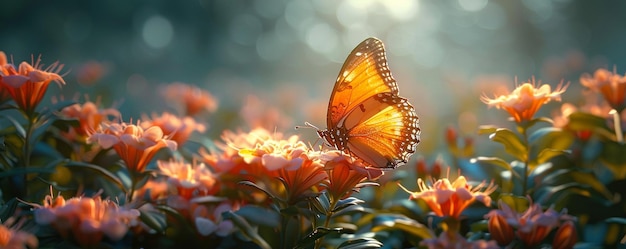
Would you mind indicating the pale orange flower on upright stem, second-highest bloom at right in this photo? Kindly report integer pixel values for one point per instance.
(525, 100)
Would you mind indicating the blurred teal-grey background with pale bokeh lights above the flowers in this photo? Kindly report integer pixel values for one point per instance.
(444, 54)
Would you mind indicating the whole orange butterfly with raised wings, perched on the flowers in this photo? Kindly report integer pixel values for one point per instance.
(366, 118)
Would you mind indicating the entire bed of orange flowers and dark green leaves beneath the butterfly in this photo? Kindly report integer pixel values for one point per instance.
(75, 174)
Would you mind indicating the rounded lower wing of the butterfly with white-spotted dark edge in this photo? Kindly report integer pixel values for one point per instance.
(383, 131)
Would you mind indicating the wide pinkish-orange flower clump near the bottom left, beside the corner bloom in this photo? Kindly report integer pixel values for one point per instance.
(85, 219)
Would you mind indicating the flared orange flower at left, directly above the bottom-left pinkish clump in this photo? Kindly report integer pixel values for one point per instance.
(132, 143)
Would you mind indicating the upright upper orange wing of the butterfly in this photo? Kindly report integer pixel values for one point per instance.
(364, 74)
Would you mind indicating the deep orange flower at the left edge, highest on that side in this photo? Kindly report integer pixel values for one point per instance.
(28, 83)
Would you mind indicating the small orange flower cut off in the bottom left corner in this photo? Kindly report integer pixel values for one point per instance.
(12, 237)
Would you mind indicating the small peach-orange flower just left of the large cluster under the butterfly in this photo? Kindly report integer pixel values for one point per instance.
(189, 179)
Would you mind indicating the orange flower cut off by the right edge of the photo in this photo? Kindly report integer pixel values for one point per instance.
(611, 85)
